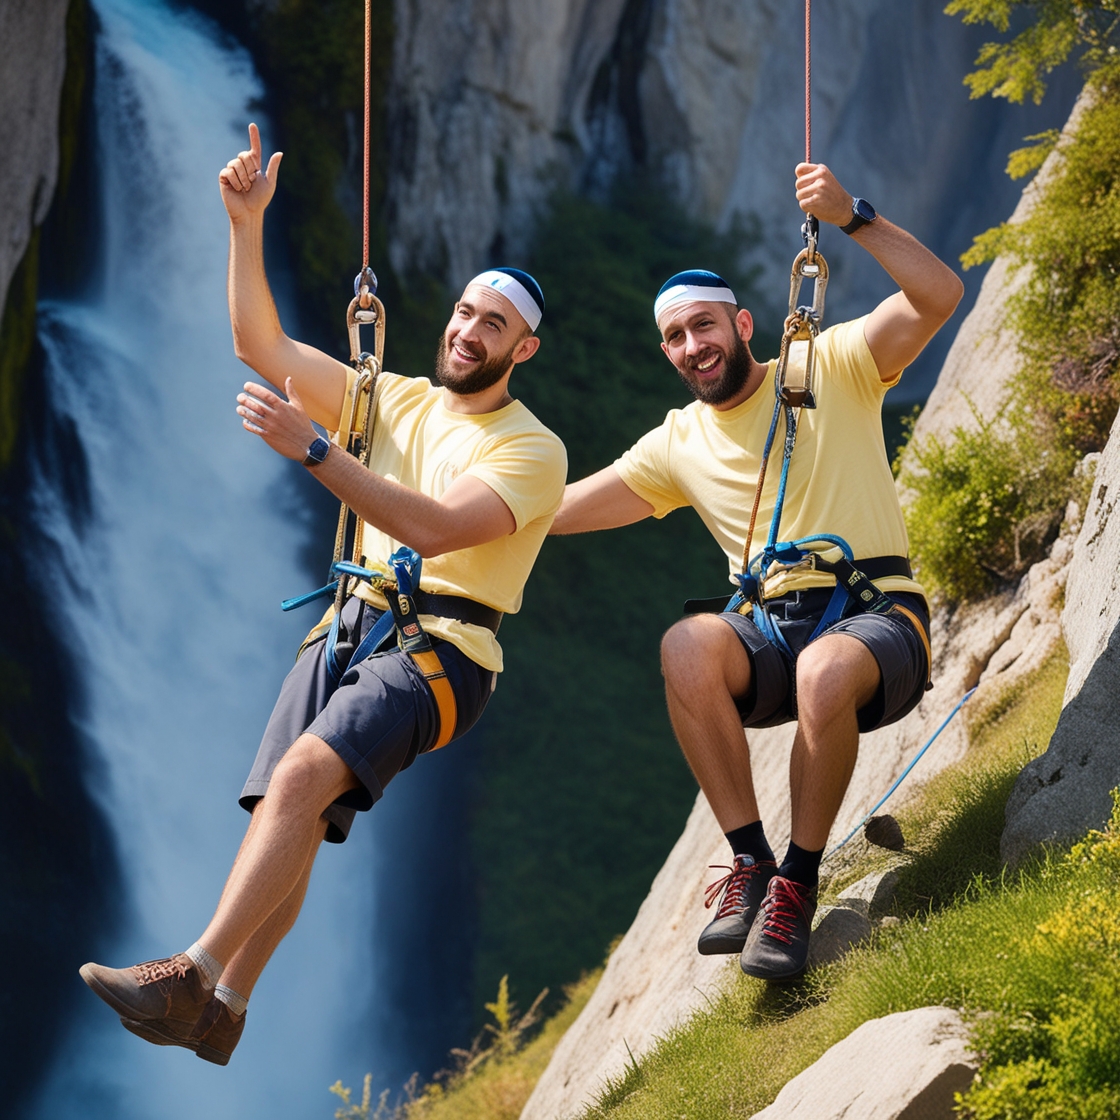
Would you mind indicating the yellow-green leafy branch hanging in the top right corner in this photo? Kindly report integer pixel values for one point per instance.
(1018, 70)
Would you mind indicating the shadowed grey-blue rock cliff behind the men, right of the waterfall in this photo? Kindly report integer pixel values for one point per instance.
(494, 106)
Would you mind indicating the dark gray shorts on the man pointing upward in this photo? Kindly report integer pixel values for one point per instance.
(378, 720)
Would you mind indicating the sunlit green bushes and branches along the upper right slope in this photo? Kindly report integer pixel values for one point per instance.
(987, 505)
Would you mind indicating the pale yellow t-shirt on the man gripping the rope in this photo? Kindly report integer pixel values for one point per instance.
(839, 483)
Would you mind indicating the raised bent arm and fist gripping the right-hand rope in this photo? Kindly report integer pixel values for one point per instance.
(900, 328)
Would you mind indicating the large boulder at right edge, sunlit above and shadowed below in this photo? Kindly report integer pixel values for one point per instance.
(1062, 795)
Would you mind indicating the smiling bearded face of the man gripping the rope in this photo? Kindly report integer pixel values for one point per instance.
(707, 342)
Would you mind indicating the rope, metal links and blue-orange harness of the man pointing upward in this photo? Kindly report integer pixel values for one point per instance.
(402, 592)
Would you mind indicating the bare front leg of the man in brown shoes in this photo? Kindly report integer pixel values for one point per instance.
(279, 846)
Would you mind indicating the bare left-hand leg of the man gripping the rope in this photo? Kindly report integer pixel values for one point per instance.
(705, 668)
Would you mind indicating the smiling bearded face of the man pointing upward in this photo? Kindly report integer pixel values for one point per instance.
(486, 339)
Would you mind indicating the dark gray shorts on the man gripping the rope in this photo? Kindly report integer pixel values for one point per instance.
(893, 641)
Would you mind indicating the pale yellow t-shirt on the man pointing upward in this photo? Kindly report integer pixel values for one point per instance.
(421, 444)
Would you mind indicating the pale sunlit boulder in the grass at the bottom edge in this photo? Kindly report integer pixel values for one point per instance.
(904, 1067)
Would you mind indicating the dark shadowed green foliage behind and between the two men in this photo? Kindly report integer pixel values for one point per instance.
(583, 789)
